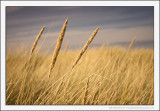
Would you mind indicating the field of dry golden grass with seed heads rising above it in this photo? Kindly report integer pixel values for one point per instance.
(94, 76)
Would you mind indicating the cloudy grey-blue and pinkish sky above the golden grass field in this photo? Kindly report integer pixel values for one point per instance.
(118, 25)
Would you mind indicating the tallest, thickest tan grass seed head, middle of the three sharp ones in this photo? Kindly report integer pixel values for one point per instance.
(58, 46)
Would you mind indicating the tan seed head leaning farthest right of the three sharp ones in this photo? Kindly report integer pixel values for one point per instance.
(85, 47)
